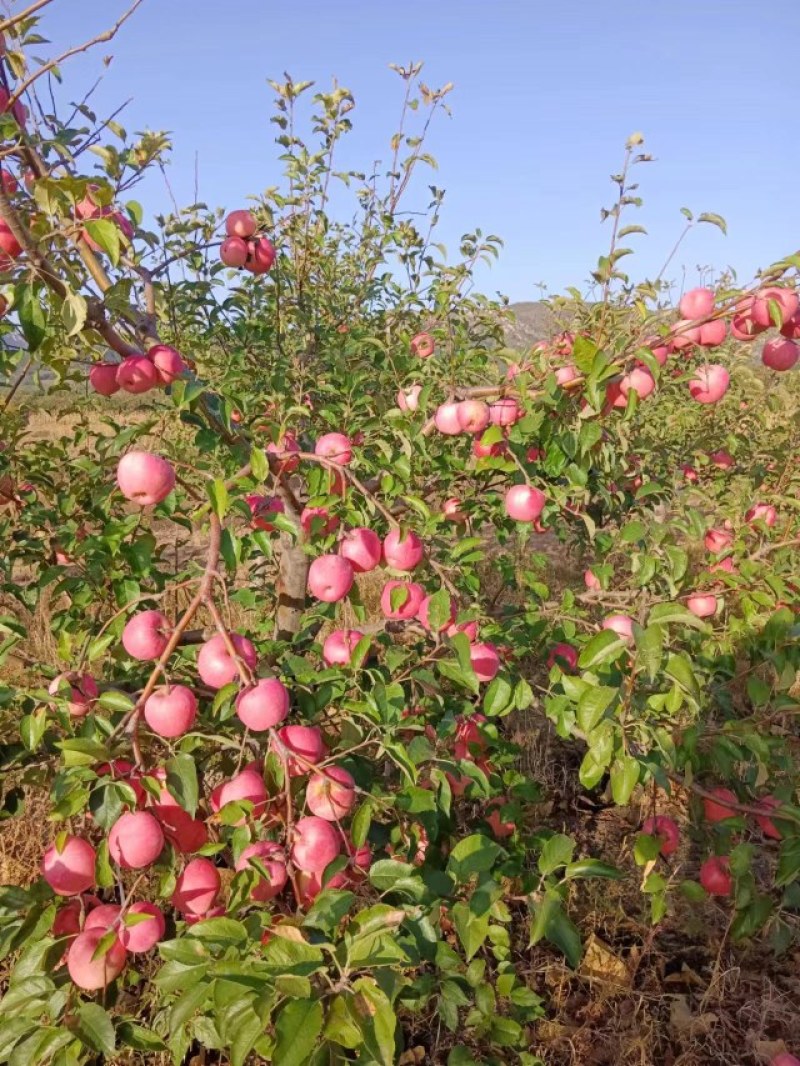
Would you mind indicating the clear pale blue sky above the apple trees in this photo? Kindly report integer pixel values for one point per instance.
(546, 96)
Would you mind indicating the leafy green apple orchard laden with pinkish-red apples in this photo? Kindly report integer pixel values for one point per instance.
(295, 545)
